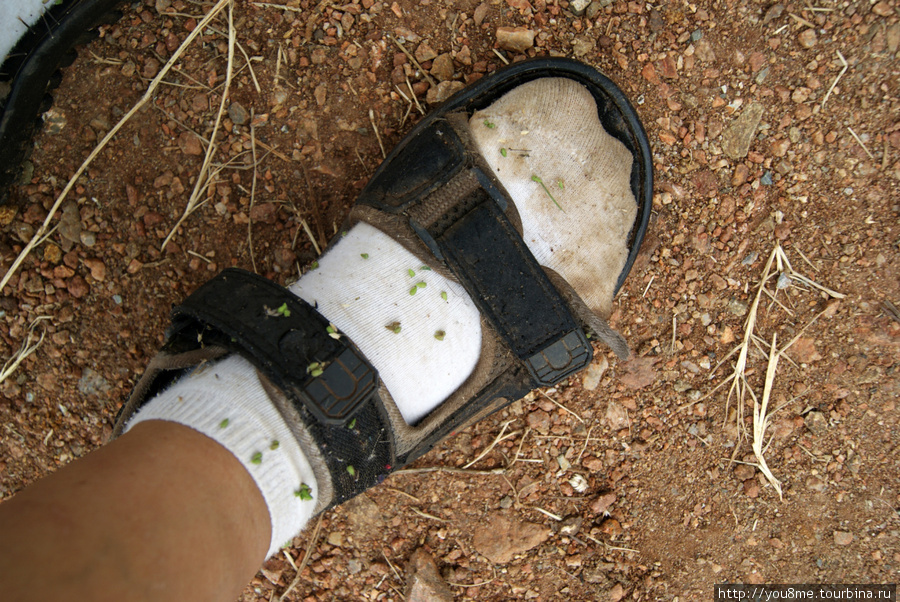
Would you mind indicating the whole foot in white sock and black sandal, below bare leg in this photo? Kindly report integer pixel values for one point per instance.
(443, 211)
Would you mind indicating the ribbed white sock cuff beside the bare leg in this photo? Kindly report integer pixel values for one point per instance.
(226, 402)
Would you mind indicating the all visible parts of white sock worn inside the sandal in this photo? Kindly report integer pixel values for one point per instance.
(363, 284)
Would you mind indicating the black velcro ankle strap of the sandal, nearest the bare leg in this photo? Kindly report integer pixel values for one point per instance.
(284, 337)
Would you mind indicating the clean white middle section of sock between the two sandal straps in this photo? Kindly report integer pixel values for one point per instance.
(421, 331)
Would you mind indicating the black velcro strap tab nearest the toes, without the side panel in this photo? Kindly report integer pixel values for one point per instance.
(464, 224)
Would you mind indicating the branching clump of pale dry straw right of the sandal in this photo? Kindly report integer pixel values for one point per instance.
(741, 391)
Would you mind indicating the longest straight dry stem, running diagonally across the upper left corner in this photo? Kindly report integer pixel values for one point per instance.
(154, 83)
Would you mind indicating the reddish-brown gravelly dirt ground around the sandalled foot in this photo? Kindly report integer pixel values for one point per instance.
(673, 500)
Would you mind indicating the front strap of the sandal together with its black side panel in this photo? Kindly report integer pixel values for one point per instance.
(461, 218)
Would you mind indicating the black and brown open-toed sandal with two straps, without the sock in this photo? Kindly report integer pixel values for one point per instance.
(434, 195)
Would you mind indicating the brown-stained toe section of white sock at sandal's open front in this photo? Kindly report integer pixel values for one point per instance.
(548, 130)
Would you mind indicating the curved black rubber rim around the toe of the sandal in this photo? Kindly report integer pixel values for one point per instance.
(615, 113)
